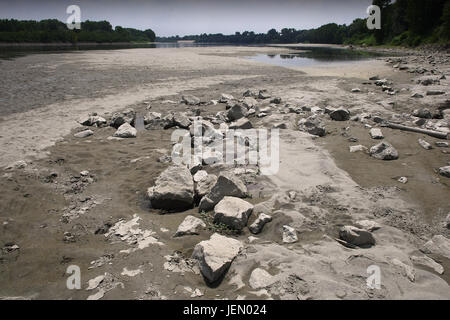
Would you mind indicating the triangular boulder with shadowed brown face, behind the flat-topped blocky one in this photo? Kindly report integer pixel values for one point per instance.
(227, 185)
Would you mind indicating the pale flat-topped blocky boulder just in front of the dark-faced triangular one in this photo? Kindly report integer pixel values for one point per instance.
(233, 212)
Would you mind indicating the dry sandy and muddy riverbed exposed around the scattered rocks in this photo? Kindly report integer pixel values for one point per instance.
(58, 215)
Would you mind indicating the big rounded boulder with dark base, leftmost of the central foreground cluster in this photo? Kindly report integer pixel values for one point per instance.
(173, 190)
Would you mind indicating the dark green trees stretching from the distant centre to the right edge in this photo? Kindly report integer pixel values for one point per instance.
(403, 23)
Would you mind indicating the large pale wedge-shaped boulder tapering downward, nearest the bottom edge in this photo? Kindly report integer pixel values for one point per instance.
(216, 255)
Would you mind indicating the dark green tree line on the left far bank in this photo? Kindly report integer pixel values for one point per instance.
(52, 30)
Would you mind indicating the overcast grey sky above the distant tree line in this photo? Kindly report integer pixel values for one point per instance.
(184, 17)
